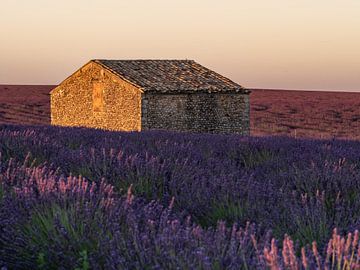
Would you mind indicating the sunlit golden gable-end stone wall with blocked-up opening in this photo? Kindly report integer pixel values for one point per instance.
(94, 97)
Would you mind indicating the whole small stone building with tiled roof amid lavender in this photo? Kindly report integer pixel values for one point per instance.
(135, 95)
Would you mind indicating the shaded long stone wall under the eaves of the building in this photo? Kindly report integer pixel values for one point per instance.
(197, 112)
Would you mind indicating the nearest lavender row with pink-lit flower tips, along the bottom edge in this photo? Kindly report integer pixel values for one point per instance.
(49, 221)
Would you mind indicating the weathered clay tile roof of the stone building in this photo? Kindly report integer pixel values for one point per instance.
(171, 76)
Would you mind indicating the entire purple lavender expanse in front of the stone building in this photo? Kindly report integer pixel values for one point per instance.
(73, 198)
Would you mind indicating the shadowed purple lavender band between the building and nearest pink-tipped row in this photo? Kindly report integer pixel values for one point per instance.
(304, 188)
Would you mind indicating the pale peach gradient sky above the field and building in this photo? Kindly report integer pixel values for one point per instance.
(291, 44)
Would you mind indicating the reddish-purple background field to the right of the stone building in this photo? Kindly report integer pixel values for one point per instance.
(305, 113)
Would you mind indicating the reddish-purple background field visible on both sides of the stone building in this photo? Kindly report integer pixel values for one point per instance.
(273, 112)
